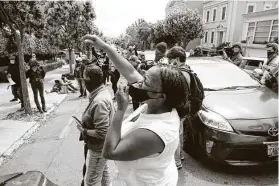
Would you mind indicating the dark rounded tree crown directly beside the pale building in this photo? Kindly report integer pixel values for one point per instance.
(184, 27)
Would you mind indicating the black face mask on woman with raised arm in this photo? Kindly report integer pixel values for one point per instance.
(139, 95)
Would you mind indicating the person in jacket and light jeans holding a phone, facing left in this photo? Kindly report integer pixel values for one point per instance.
(95, 123)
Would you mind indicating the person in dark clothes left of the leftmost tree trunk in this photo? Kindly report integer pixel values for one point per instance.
(13, 73)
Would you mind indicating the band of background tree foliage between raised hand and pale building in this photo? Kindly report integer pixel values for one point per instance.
(178, 28)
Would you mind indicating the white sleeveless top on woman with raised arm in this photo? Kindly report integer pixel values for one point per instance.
(158, 169)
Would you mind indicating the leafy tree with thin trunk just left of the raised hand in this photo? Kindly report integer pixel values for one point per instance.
(67, 22)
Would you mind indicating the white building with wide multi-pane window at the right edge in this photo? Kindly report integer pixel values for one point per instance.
(259, 27)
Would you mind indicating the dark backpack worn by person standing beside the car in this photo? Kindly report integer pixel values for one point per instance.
(196, 95)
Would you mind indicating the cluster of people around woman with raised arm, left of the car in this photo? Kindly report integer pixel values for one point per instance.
(160, 94)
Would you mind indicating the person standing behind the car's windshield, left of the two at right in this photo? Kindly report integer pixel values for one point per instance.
(237, 55)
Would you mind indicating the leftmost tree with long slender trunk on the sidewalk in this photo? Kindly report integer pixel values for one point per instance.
(17, 16)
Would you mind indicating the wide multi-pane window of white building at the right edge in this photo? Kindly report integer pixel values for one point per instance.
(263, 31)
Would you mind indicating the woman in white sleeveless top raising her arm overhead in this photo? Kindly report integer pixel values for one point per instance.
(143, 149)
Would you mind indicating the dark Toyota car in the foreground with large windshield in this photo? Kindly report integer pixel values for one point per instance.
(238, 123)
